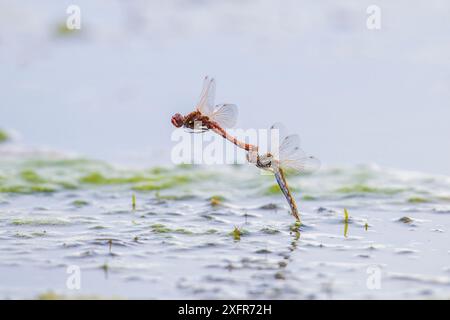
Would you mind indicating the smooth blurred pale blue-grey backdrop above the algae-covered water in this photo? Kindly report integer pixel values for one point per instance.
(108, 91)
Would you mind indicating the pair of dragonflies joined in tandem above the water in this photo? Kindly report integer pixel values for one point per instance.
(285, 156)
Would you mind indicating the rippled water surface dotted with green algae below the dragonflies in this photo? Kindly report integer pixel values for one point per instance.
(180, 240)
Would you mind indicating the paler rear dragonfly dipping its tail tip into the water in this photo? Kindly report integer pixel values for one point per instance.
(284, 156)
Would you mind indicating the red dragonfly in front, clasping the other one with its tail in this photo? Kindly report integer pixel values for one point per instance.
(208, 116)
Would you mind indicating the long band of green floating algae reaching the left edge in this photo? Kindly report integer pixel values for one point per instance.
(52, 175)
